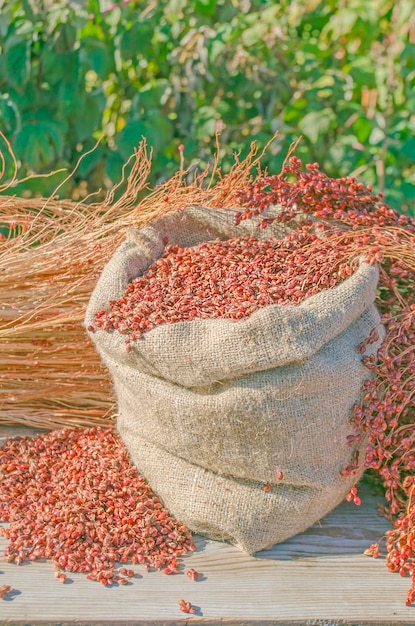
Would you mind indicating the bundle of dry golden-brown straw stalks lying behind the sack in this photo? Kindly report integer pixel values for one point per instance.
(50, 373)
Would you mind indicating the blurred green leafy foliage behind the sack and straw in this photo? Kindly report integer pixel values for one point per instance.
(341, 73)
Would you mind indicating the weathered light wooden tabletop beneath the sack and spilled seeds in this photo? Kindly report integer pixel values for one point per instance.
(319, 577)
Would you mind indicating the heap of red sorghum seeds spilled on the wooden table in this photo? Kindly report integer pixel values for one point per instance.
(73, 496)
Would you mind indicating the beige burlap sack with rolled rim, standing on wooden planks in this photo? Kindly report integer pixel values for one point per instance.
(211, 410)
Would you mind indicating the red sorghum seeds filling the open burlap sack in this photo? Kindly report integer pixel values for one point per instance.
(225, 279)
